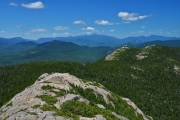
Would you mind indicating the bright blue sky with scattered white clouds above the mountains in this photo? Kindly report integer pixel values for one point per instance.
(32, 19)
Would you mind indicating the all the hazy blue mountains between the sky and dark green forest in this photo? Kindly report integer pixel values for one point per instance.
(18, 50)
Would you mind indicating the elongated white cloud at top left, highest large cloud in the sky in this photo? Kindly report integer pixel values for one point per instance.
(35, 5)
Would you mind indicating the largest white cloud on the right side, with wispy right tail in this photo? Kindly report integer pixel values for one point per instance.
(125, 16)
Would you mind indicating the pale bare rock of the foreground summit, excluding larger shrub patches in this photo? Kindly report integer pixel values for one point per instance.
(27, 105)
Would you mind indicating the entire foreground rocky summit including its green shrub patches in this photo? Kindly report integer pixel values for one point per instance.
(60, 96)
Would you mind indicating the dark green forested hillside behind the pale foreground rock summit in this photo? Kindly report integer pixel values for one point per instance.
(150, 77)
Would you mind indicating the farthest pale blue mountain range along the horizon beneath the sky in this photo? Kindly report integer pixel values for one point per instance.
(93, 40)
